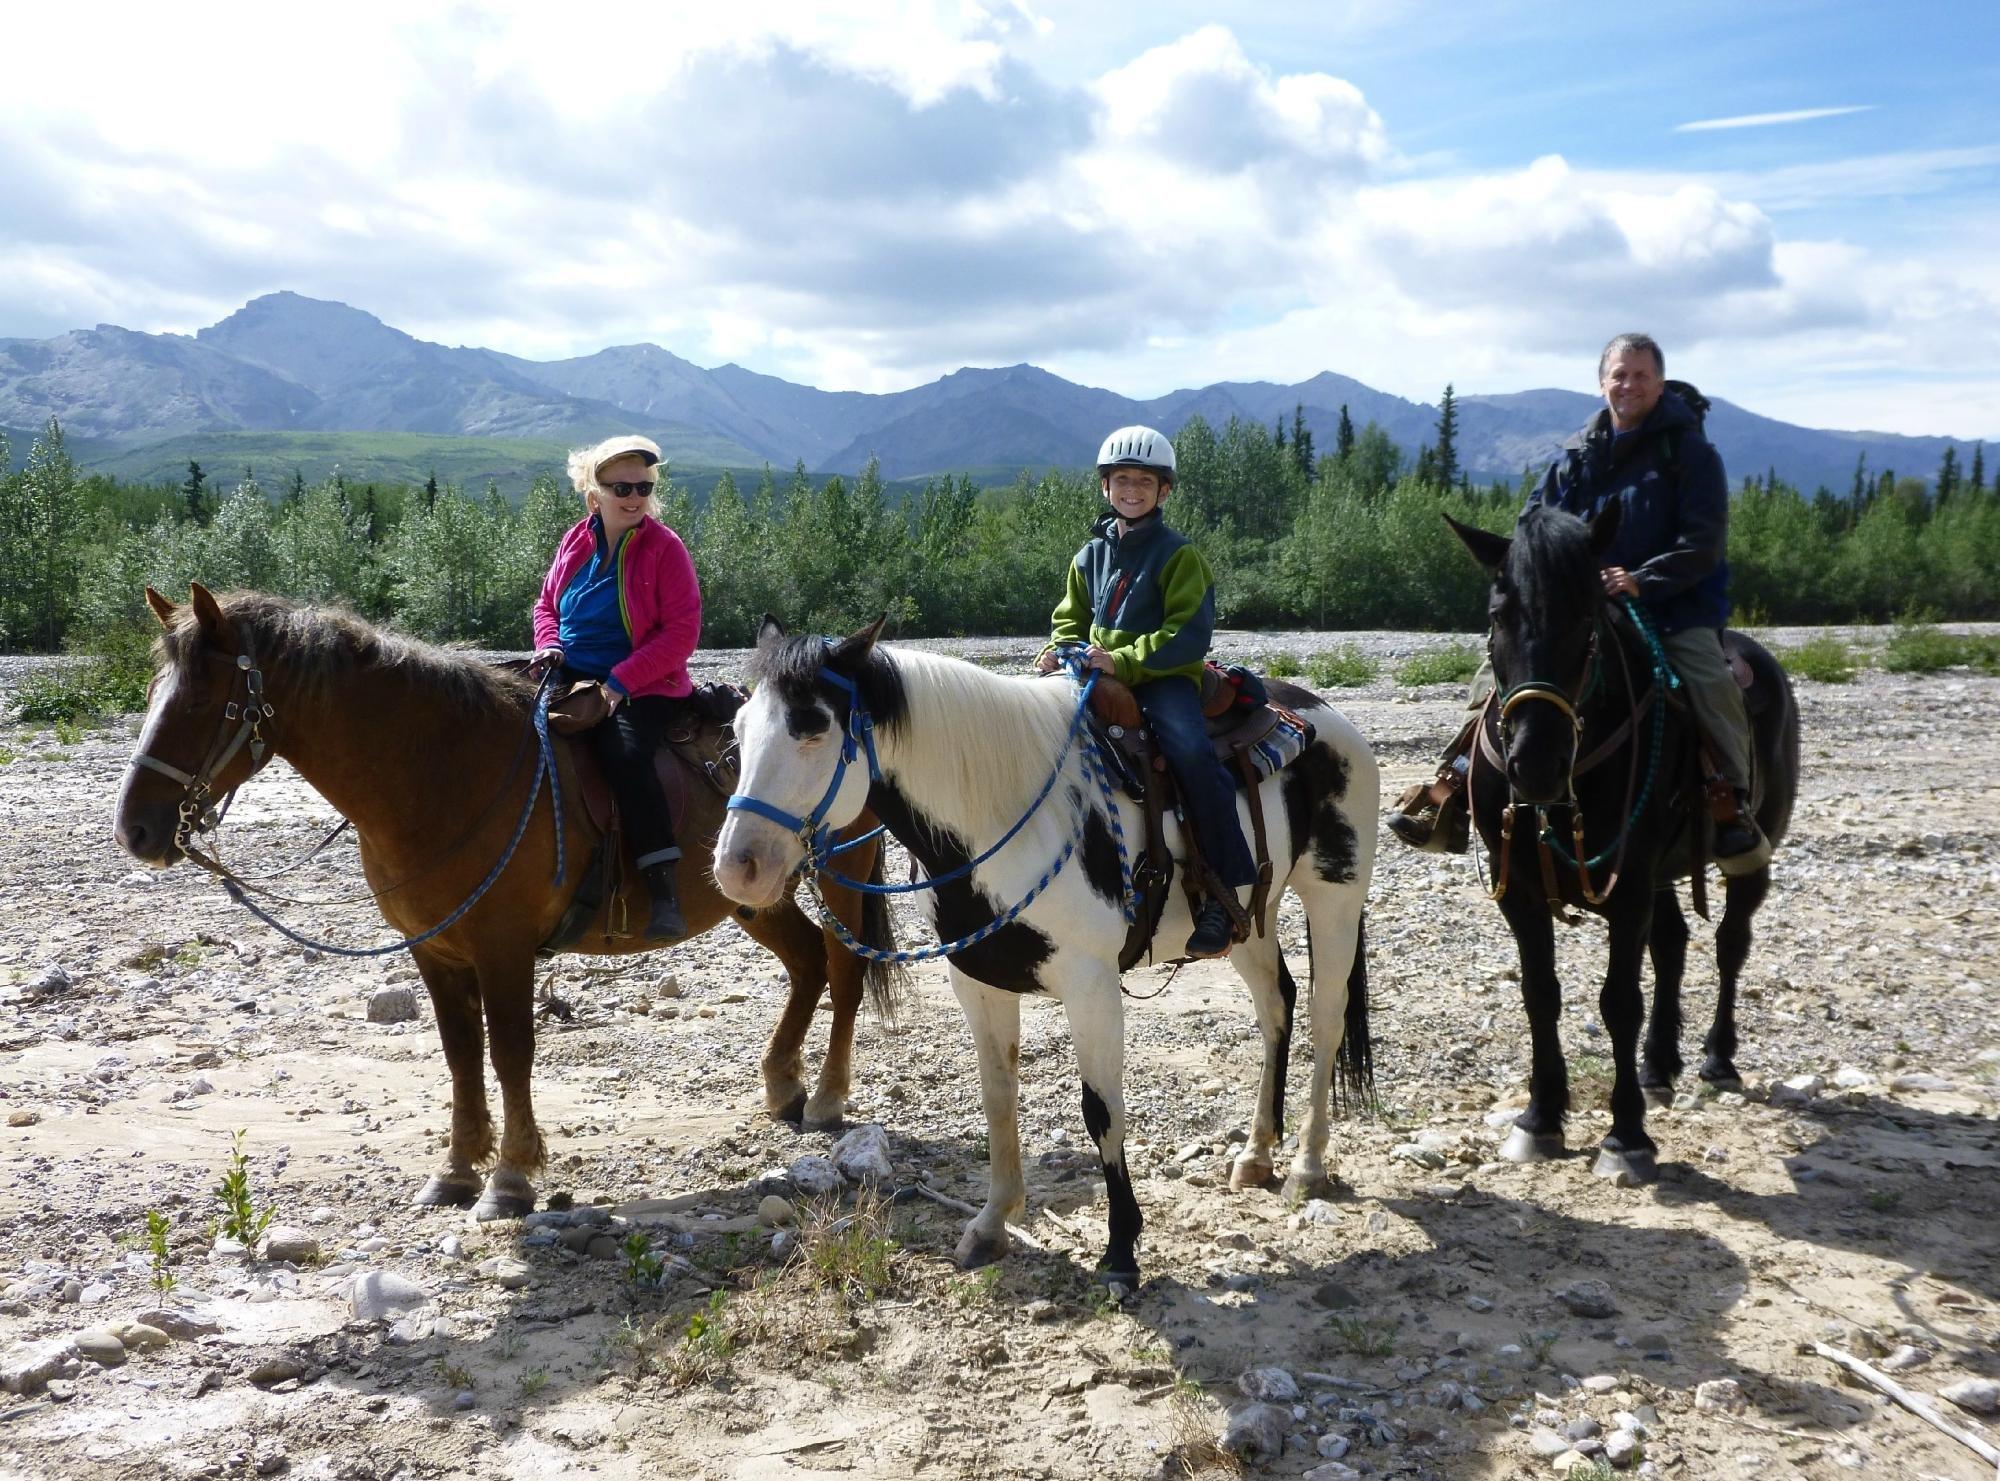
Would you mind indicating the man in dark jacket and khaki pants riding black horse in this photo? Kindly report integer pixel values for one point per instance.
(1649, 453)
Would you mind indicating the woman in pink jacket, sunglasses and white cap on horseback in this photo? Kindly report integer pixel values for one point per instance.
(621, 605)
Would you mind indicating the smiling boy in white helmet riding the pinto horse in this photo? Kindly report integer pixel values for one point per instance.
(1141, 601)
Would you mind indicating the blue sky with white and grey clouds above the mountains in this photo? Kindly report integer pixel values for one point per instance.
(867, 197)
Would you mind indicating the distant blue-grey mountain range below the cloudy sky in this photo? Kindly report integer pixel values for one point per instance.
(297, 373)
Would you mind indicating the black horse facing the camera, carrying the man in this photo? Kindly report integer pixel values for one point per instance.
(1585, 758)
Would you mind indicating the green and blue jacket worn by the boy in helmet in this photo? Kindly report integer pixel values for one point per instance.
(1147, 597)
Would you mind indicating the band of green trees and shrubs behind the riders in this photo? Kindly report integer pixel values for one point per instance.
(1347, 537)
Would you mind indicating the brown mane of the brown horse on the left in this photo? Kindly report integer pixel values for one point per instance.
(321, 645)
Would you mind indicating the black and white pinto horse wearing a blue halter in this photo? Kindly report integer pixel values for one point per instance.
(963, 756)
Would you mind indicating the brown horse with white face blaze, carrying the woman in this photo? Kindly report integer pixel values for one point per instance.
(429, 756)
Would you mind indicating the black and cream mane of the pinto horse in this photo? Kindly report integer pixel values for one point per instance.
(989, 739)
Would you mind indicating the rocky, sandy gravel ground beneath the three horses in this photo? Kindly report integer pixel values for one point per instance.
(703, 1302)
